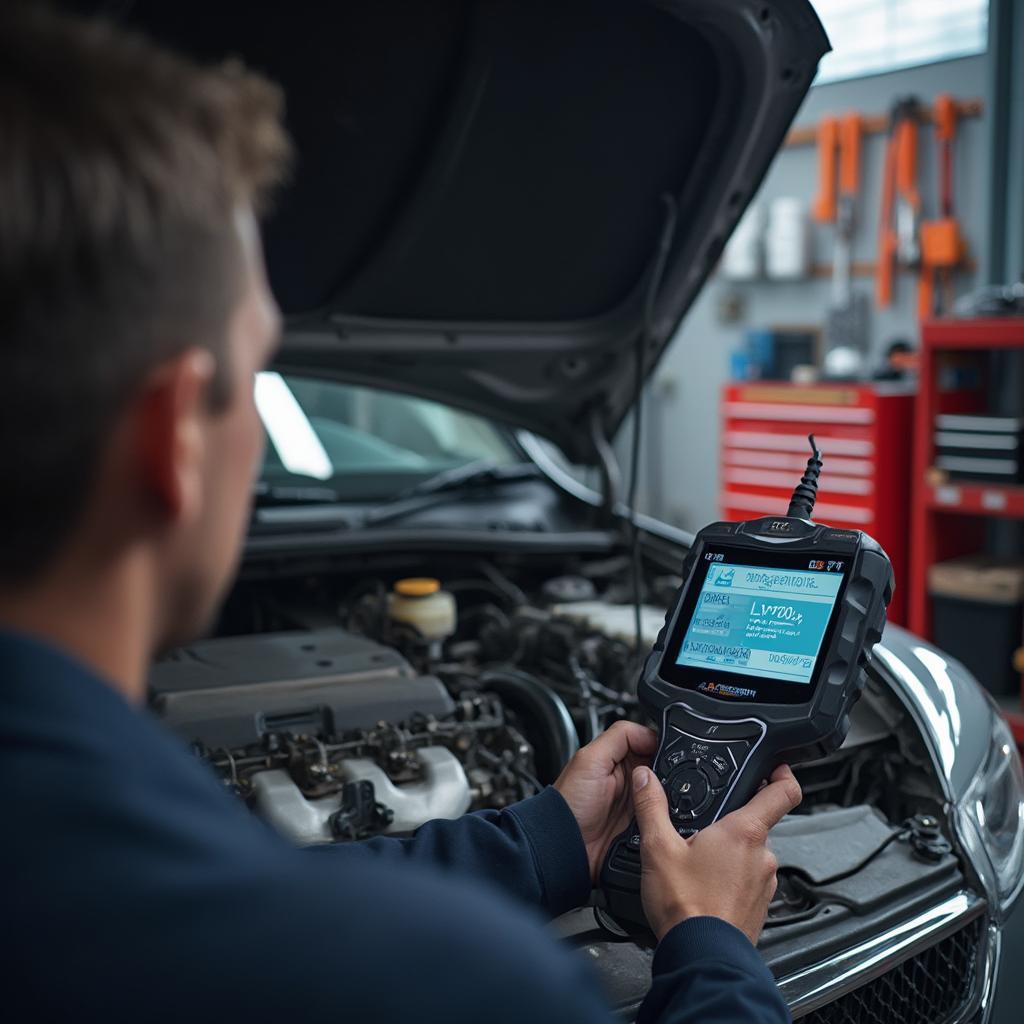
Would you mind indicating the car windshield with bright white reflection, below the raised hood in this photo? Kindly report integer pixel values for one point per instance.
(365, 444)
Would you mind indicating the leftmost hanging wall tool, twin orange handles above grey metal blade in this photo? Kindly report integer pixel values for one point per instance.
(846, 328)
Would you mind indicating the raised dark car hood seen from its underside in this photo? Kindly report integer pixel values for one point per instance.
(479, 204)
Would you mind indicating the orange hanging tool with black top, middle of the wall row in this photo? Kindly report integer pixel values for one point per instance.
(899, 242)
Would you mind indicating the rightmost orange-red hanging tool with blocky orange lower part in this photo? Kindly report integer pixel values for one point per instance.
(942, 244)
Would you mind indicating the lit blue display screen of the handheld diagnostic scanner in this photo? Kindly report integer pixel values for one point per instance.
(762, 622)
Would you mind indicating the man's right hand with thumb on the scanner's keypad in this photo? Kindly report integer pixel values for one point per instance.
(727, 871)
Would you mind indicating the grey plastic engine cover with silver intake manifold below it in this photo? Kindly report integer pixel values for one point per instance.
(332, 737)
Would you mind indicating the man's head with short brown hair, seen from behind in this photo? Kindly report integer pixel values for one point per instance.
(134, 309)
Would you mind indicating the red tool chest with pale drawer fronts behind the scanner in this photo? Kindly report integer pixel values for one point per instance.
(865, 434)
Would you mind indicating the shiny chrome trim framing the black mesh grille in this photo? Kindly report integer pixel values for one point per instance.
(824, 984)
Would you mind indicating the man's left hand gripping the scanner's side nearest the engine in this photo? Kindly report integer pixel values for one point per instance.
(596, 786)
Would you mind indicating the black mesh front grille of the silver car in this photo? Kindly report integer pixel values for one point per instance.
(932, 988)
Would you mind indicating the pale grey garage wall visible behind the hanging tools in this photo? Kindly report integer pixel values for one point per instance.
(679, 482)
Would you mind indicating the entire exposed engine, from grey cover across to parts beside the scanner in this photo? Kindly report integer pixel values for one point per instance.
(366, 727)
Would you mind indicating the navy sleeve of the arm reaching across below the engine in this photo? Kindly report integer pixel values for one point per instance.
(533, 851)
